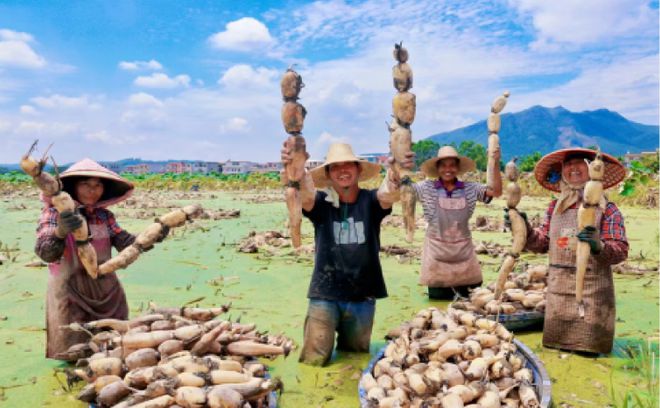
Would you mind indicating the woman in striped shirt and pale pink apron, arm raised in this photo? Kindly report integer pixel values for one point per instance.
(449, 263)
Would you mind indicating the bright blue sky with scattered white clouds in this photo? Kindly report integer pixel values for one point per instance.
(200, 79)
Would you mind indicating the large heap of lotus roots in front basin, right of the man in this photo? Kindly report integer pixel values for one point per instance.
(450, 360)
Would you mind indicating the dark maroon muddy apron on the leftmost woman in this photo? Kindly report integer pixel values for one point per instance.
(73, 296)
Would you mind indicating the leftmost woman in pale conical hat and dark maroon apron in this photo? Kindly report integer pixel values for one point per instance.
(72, 295)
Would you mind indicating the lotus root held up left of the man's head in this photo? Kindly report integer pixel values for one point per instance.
(293, 117)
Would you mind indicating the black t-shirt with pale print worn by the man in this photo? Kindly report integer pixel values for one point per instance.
(347, 240)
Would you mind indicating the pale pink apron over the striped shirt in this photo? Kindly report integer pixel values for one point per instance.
(448, 257)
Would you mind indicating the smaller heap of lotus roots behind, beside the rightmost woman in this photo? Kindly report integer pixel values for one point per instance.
(522, 292)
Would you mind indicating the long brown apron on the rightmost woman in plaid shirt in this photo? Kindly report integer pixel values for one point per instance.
(563, 328)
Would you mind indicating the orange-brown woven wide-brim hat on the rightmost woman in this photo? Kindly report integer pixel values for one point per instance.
(548, 169)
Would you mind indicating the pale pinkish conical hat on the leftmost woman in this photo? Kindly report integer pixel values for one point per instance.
(115, 187)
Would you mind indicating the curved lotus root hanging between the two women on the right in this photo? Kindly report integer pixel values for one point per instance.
(518, 226)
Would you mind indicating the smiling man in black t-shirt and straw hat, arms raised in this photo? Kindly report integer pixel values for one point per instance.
(347, 277)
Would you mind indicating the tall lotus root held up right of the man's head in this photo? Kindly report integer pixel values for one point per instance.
(403, 107)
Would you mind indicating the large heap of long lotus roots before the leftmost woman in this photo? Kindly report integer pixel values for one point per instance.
(184, 356)
